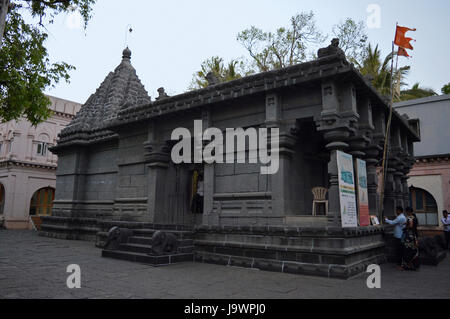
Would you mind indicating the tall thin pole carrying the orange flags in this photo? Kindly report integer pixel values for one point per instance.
(388, 133)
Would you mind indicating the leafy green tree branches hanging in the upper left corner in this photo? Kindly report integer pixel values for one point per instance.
(25, 68)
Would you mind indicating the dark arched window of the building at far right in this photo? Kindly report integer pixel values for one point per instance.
(424, 206)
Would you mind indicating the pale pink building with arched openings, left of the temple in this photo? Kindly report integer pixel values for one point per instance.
(27, 167)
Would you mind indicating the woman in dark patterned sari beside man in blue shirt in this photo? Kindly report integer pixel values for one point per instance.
(410, 246)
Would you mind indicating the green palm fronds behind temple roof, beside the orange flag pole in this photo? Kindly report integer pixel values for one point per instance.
(379, 71)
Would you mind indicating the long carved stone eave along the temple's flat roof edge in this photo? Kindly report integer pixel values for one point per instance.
(317, 70)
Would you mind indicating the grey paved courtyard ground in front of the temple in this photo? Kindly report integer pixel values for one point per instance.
(35, 267)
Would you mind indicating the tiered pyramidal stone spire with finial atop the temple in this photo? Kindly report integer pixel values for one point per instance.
(120, 90)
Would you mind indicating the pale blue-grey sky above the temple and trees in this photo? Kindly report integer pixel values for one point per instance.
(171, 38)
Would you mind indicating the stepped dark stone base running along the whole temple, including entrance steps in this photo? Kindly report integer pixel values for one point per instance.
(320, 251)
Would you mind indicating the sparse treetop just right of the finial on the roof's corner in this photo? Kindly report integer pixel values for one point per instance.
(352, 39)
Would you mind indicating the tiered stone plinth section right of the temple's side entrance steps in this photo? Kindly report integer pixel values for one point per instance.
(325, 251)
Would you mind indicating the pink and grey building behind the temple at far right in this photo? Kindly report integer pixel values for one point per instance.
(429, 180)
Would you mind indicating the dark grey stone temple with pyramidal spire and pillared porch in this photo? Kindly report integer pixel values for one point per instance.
(115, 169)
